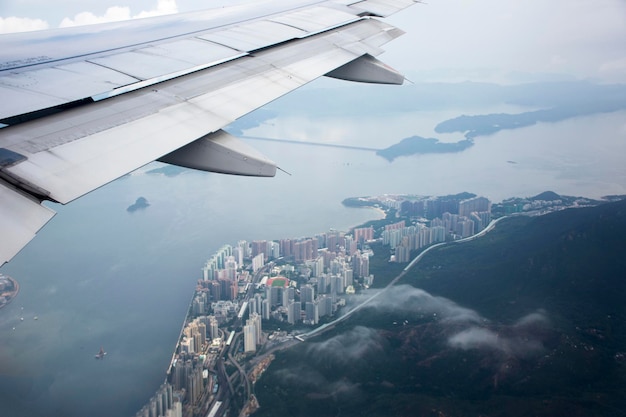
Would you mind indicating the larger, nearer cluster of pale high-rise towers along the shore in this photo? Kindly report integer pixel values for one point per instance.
(321, 269)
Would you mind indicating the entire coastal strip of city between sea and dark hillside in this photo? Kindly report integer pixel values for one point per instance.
(256, 297)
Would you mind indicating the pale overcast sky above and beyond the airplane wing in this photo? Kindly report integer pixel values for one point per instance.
(446, 39)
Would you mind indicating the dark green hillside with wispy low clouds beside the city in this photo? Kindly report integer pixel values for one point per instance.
(529, 320)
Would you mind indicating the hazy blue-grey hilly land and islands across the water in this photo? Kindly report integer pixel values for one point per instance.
(548, 102)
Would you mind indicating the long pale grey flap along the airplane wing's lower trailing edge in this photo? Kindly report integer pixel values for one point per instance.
(81, 149)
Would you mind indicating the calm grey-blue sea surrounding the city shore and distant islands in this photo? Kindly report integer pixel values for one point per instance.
(100, 276)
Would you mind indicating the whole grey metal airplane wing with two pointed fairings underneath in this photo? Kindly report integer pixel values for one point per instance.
(83, 106)
